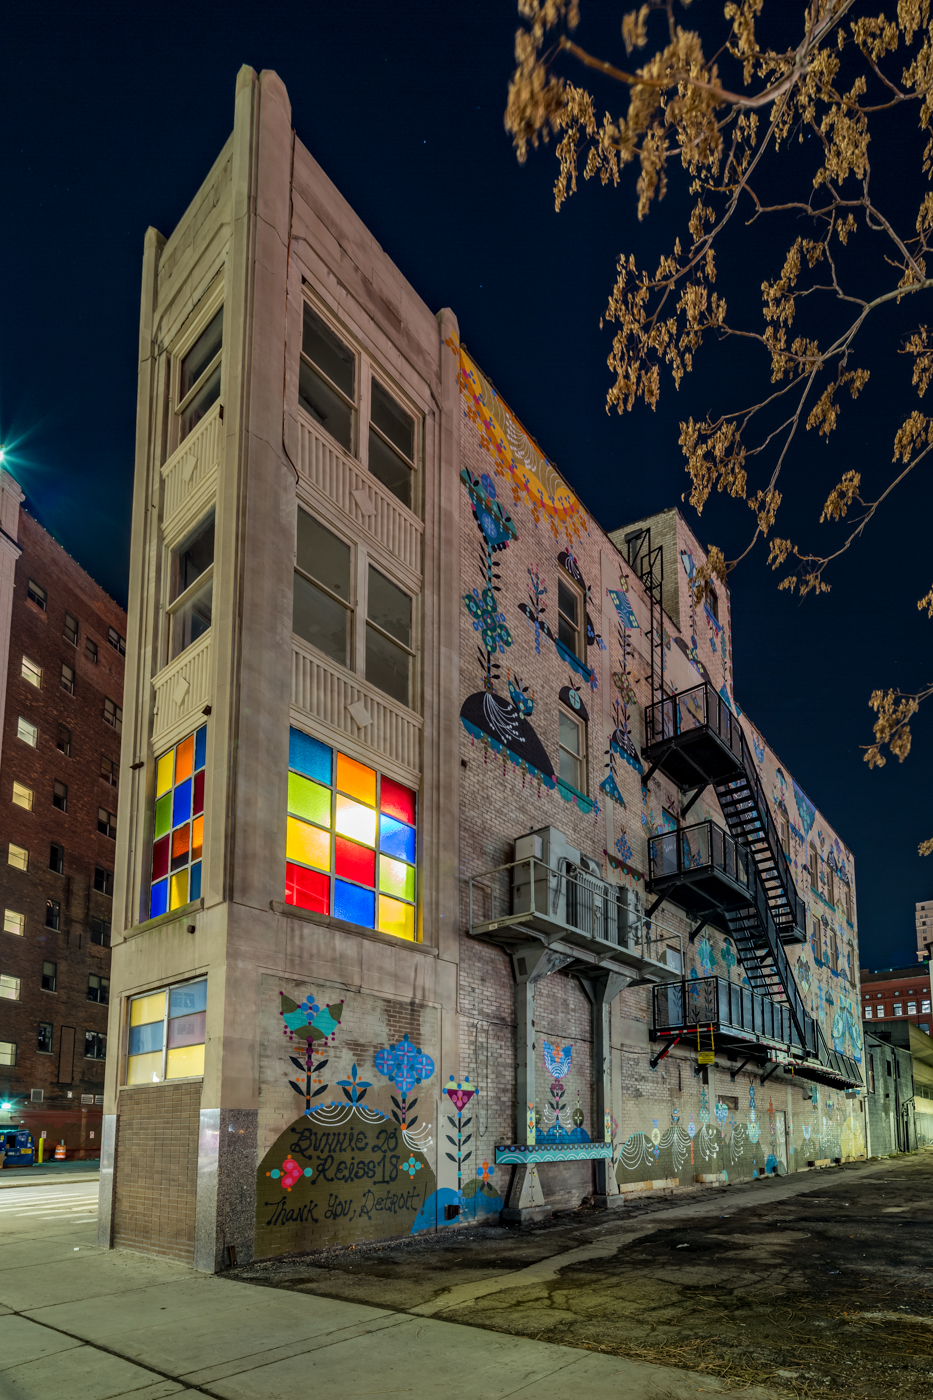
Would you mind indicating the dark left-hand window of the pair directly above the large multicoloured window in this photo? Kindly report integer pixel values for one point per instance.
(323, 600)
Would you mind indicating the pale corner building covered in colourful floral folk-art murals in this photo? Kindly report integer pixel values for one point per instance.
(452, 878)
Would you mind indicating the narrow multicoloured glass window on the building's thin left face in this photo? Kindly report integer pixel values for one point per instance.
(180, 825)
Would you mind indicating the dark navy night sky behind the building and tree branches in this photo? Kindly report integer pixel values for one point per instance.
(110, 122)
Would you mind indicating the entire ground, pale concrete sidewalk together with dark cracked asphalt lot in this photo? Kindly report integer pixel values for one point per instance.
(816, 1284)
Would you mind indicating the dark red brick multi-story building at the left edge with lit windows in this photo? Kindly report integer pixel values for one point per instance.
(62, 647)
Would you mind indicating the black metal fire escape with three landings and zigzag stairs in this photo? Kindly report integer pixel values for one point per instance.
(739, 880)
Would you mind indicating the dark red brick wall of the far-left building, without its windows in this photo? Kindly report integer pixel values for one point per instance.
(40, 635)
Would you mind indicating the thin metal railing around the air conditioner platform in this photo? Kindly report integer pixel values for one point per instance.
(565, 898)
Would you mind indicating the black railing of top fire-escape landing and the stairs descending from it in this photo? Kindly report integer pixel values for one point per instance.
(701, 708)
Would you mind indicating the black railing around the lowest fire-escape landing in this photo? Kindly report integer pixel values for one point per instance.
(712, 1002)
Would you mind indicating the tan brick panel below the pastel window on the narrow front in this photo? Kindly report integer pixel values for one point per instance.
(156, 1182)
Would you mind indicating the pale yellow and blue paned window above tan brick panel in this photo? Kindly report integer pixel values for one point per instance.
(167, 1034)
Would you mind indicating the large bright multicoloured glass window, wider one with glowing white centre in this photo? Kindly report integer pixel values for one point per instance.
(351, 839)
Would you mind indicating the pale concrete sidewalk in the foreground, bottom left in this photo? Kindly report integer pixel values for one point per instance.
(88, 1324)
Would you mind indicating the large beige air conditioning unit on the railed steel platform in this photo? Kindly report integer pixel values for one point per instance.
(557, 883)
